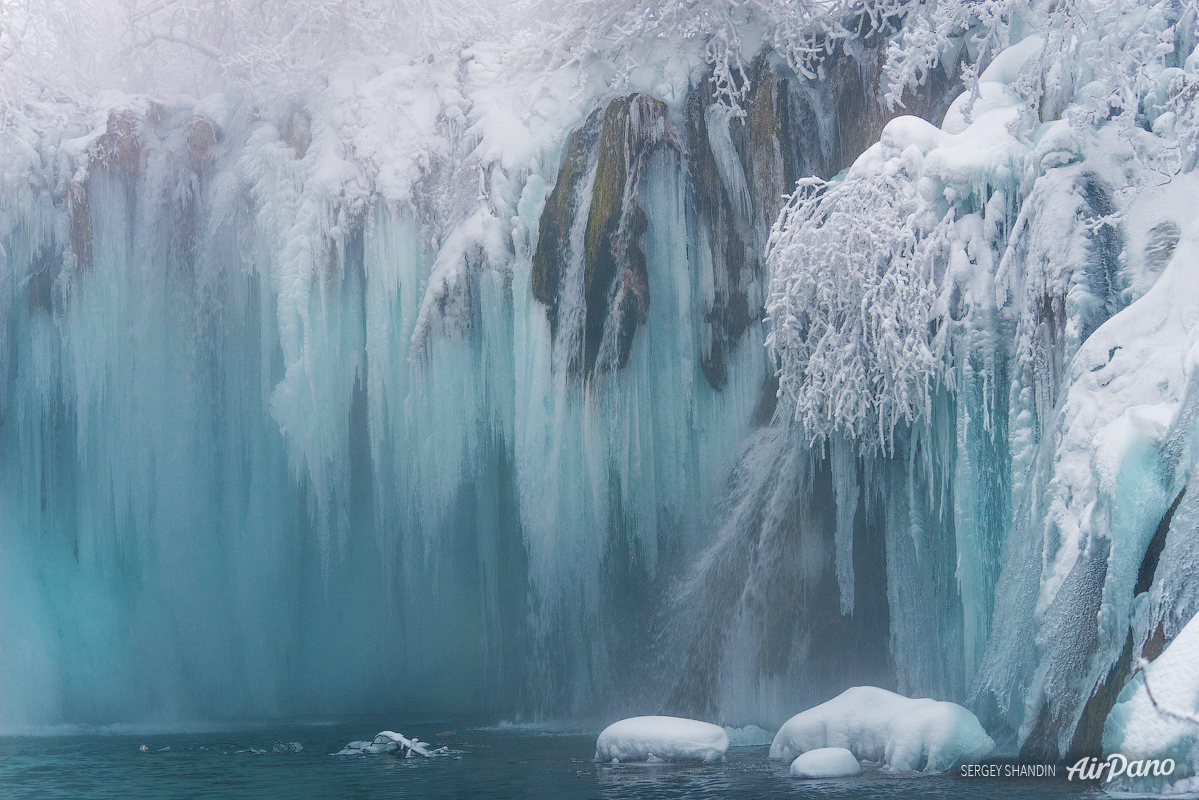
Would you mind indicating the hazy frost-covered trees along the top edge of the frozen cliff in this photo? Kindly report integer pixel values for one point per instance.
(281, 46)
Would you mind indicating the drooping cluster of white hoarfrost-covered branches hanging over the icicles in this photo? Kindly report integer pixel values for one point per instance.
(853, 308)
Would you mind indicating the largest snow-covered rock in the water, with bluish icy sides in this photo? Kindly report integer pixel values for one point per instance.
(879, 726)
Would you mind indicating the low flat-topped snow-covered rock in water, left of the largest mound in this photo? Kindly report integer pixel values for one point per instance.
(672, 739)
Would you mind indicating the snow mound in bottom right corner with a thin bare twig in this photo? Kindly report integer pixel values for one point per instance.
(1161, 721)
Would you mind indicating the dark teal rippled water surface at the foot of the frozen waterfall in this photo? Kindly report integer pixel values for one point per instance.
(498, 763)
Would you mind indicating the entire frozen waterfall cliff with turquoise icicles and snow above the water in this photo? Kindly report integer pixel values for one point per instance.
(432, 335)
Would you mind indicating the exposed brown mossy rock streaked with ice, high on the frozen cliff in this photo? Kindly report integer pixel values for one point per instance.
(740, 164)
